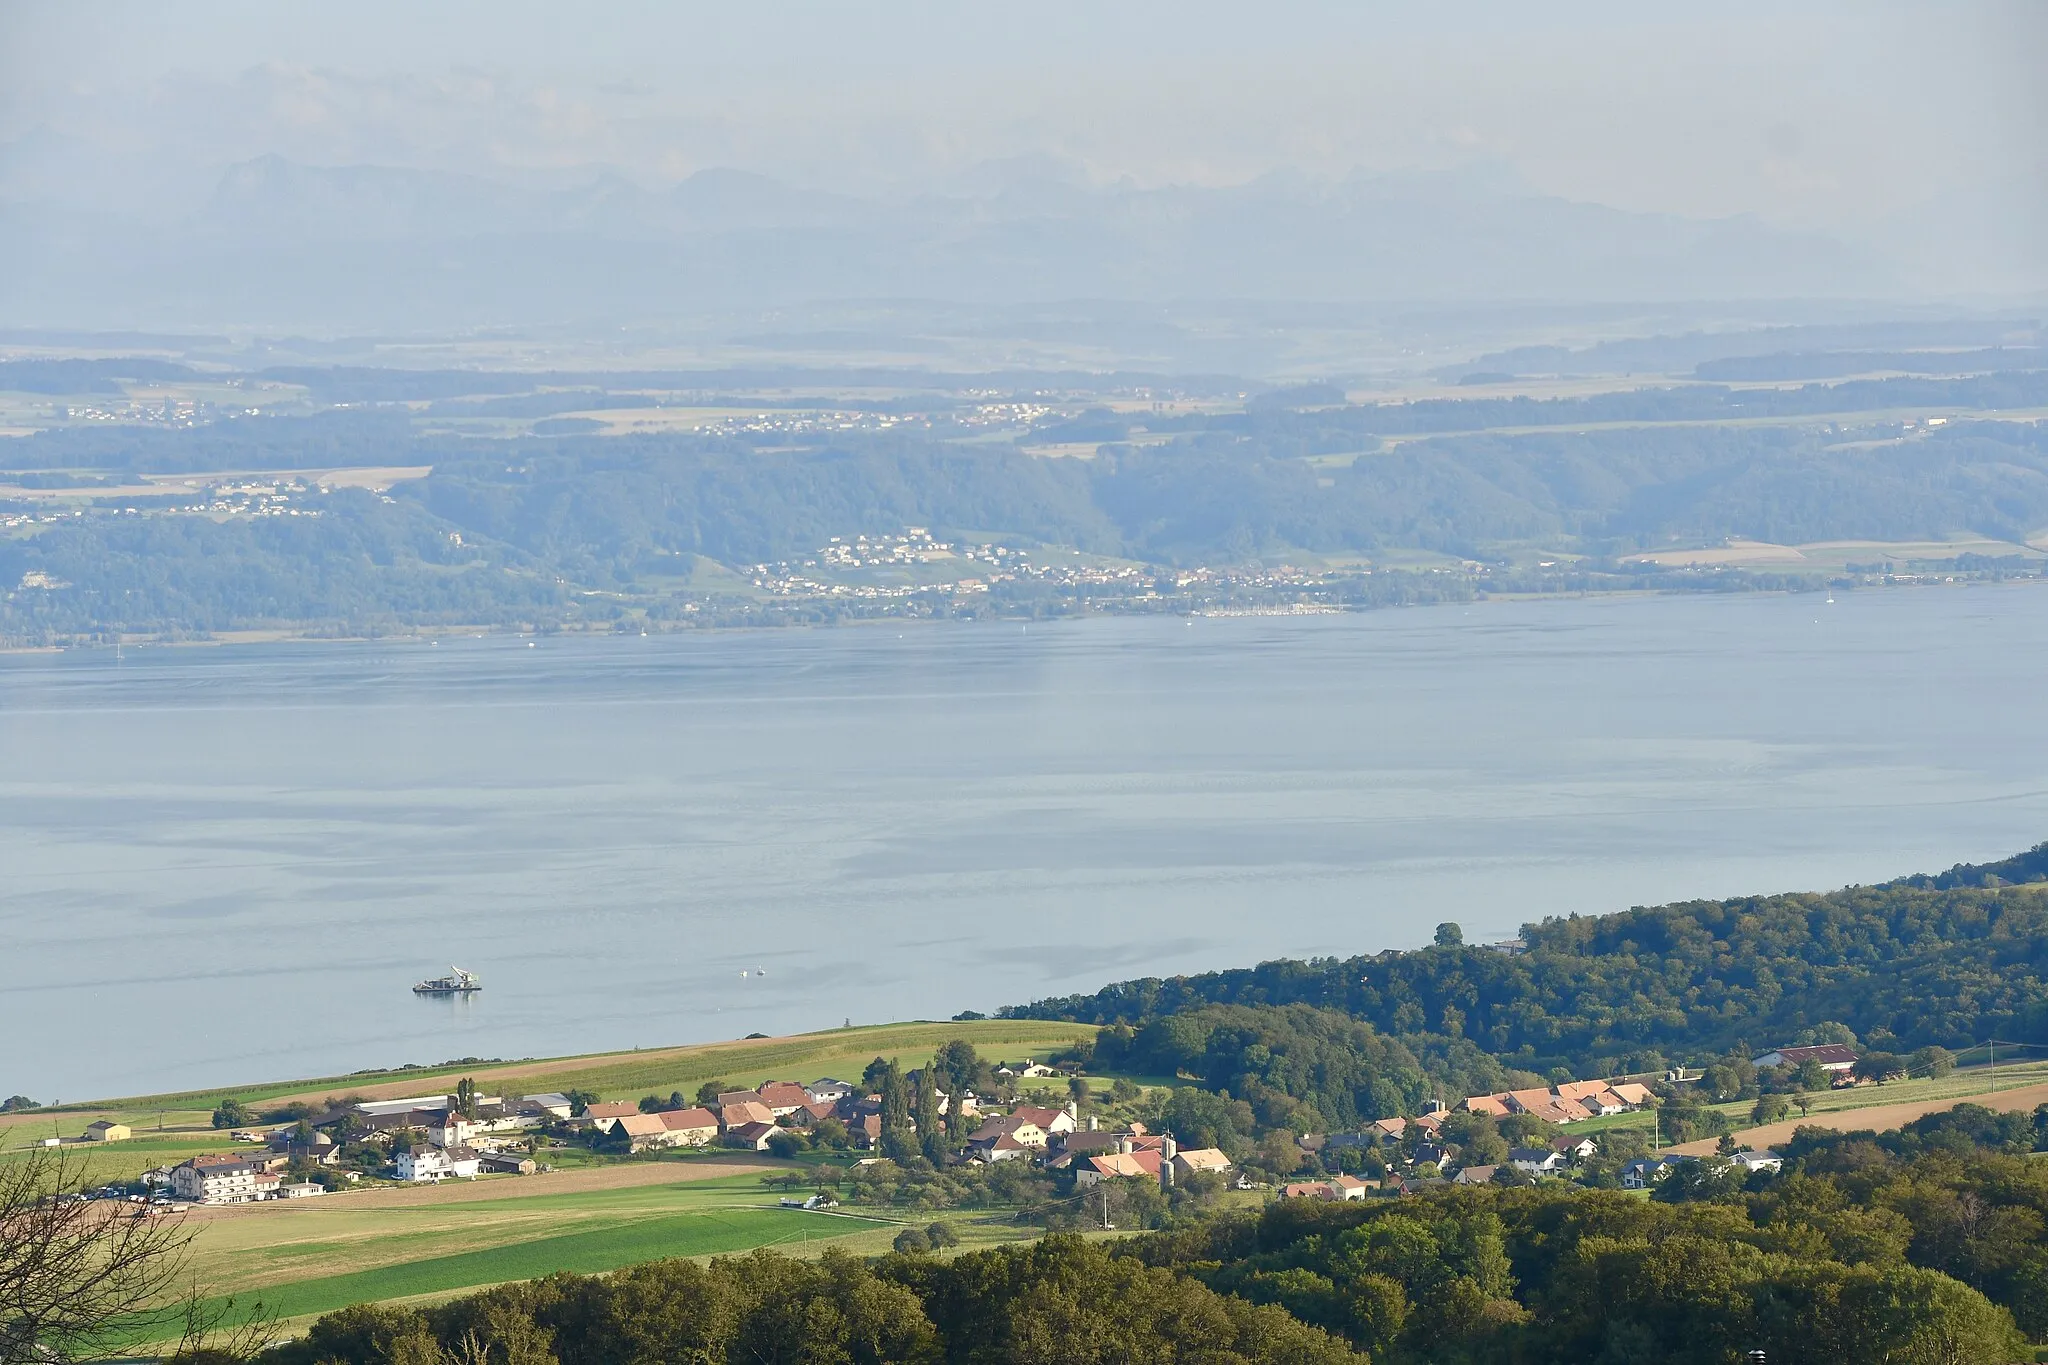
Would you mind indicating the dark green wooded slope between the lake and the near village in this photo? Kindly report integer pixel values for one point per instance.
(1943, 961)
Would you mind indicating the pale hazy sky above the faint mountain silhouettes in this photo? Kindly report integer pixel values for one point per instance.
(1922, 128)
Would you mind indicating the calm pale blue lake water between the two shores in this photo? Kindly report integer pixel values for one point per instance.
(230, 865)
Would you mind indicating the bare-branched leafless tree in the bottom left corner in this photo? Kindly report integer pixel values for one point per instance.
(77, 1274)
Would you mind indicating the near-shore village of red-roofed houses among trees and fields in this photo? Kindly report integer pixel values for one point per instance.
(466, 1137)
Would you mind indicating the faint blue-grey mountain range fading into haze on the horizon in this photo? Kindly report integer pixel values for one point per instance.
(284, 245)
